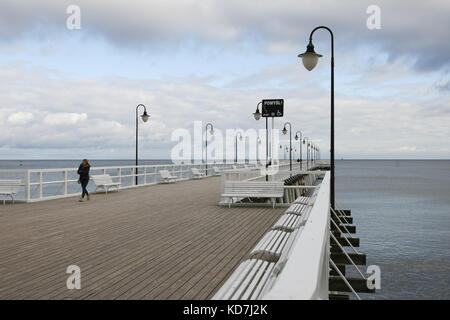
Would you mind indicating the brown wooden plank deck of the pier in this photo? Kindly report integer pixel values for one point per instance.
(167, 241)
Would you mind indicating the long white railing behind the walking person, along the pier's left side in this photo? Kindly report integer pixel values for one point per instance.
(46, 184)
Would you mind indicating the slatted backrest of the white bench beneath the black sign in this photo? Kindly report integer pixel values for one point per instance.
(254, 188)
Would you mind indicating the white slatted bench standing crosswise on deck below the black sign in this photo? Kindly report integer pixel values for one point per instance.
(253, 189)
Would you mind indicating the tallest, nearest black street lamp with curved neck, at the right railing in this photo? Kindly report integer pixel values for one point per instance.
(310, 59)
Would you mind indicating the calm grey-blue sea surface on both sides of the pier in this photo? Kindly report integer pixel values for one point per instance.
(402, 212)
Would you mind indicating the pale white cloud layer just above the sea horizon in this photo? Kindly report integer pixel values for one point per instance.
(104, 119)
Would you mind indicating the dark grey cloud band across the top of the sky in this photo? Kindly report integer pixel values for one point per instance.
(414, 29)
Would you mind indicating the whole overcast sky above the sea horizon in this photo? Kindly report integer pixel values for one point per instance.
(72, 93)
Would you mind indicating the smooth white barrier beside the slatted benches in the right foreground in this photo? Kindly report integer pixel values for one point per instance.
(304, 271)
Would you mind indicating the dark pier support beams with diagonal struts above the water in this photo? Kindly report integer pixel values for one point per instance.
(341, 231)
